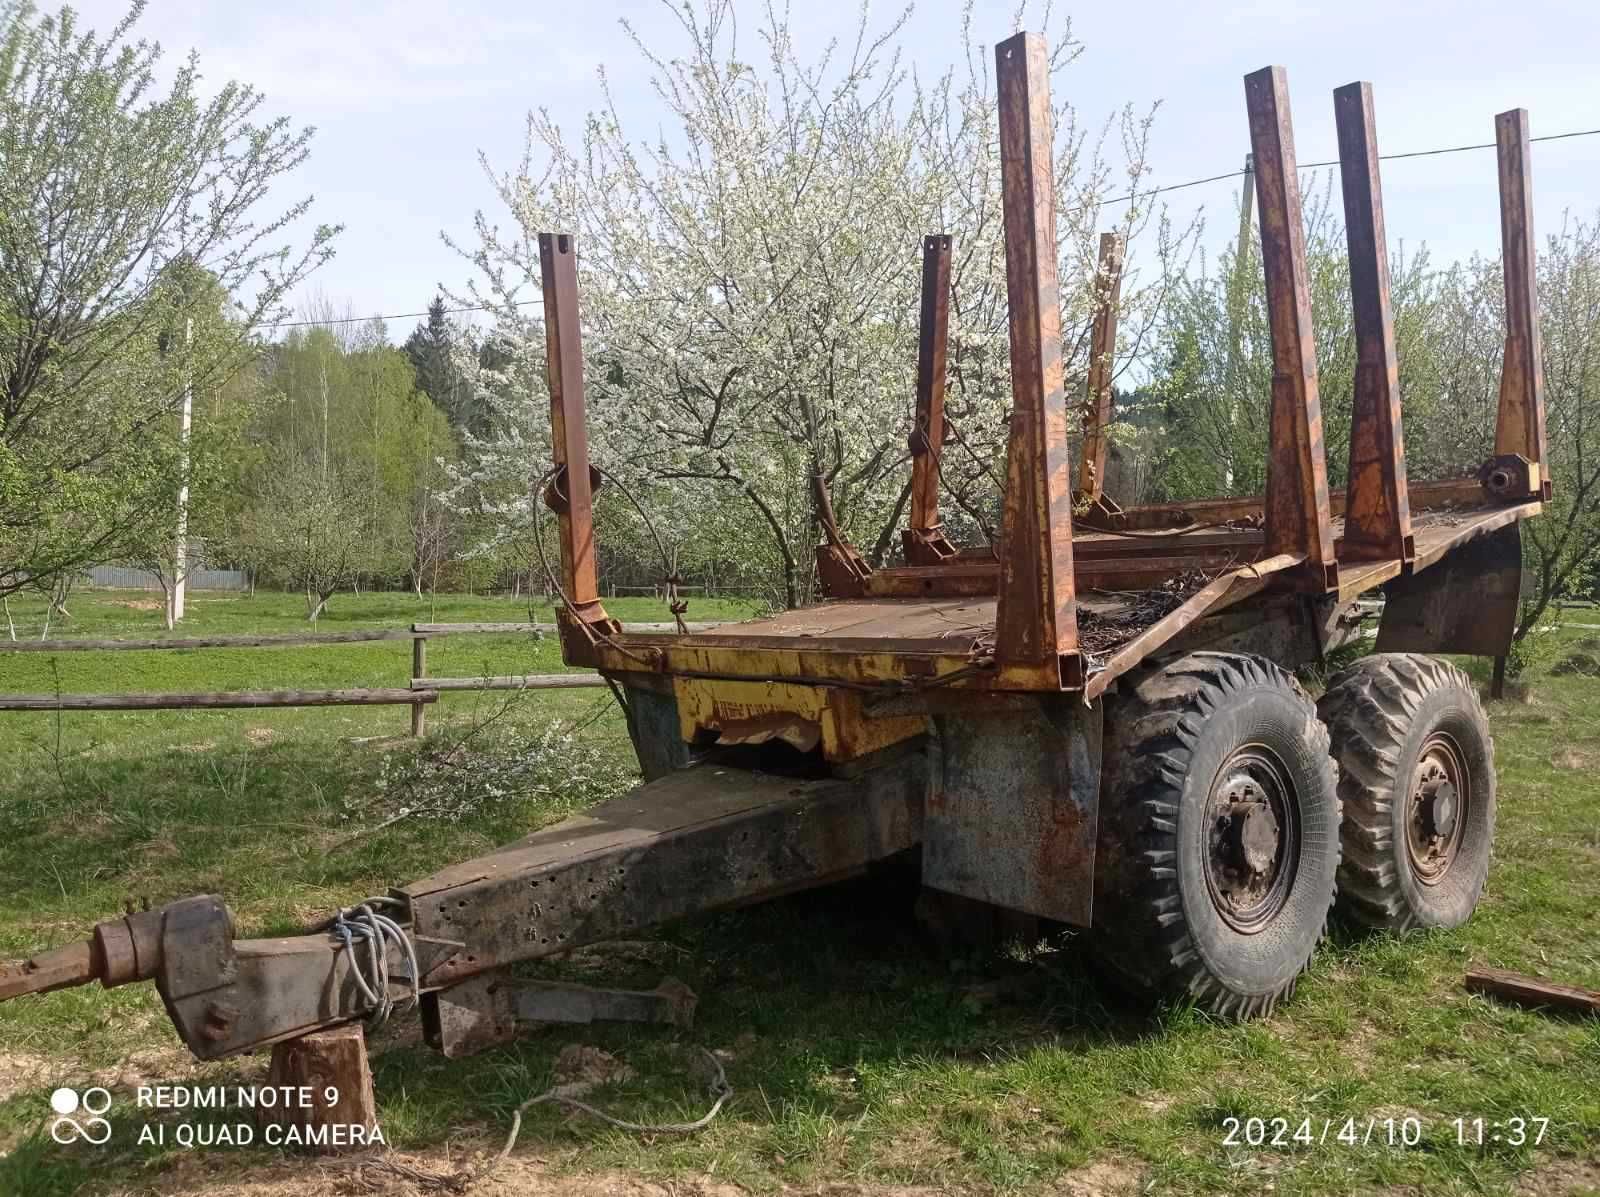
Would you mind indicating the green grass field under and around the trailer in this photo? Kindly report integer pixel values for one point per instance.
(860, 1057)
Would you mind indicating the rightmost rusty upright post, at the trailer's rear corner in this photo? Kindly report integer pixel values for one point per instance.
(1521, 422)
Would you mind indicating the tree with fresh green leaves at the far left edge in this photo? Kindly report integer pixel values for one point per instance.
(106, 183)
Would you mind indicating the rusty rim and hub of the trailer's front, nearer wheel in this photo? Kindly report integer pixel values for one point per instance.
(1252, 839)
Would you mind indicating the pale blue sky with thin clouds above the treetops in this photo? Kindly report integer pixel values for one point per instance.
(406, 95)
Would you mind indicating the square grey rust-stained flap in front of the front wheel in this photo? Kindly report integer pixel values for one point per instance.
(1014, 801)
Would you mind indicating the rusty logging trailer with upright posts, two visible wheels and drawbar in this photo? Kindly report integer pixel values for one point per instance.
(1092, 721)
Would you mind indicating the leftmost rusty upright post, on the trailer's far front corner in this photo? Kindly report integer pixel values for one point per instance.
(572, 490)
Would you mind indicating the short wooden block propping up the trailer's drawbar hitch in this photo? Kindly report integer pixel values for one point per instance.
(324, 1094)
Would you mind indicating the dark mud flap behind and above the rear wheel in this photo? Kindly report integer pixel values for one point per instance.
(1465, 604)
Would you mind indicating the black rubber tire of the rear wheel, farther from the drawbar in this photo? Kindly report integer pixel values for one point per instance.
(1380, 713)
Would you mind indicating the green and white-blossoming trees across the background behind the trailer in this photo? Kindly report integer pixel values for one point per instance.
(750, 308)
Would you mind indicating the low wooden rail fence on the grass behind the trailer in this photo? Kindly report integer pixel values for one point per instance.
(418, 695)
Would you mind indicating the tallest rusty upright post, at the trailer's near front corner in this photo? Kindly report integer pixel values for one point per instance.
(1038, 623)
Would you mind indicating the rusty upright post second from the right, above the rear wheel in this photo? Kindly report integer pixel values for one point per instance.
(1378, 510)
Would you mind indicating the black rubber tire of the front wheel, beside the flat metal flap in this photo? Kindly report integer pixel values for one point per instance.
(1169, 734)
